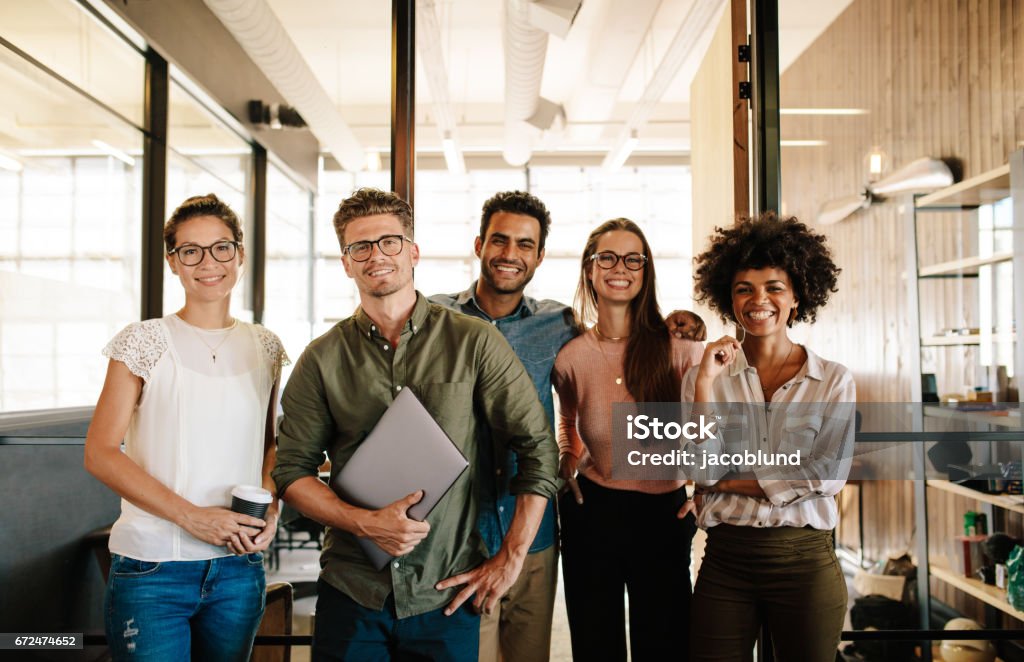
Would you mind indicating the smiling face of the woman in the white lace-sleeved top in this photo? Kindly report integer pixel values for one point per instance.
(209, 280)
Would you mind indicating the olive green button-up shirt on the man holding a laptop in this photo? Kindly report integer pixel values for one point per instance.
(467, 377)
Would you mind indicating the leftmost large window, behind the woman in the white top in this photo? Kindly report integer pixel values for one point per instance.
(70, 203)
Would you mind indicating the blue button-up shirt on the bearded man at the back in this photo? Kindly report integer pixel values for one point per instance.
(537, 330)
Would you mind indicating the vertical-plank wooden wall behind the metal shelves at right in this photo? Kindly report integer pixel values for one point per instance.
(938, 78)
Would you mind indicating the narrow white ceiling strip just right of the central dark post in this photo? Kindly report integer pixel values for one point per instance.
(429, 45)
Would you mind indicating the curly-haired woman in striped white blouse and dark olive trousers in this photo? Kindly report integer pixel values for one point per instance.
(771, 559)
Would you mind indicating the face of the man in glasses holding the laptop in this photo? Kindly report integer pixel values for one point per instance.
(382, 275)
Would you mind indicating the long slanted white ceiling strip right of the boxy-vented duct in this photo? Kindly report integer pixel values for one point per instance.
(698, 23)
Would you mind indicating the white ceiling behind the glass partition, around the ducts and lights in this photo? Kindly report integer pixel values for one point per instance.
(348, 46)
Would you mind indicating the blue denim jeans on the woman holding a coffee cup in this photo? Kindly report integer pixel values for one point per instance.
(178, 610)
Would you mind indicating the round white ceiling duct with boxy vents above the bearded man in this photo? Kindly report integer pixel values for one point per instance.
(526, 42)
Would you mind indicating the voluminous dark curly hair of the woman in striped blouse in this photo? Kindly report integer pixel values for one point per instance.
(766, 241)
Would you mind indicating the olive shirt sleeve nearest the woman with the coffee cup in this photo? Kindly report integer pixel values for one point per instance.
(307, 428)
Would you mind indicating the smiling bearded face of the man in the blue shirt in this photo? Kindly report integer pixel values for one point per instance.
(509, 254)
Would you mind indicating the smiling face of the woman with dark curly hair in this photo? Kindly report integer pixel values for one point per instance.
(763, 301)
